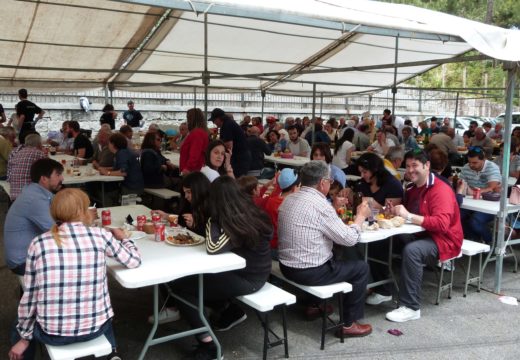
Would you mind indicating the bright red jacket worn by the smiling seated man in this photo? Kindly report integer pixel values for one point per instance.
(441, 214)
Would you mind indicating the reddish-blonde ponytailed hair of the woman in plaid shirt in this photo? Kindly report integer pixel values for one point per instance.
(69, 205)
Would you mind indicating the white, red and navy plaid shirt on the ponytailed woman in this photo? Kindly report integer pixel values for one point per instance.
(66, 287)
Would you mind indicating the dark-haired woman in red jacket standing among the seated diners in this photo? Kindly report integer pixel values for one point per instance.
(193, 148)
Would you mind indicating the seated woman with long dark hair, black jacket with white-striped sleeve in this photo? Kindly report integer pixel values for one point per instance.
(235, 225)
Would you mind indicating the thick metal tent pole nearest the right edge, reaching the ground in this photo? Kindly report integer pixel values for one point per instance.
(500, 248)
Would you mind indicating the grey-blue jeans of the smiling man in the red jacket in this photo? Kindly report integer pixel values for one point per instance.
(415, 254)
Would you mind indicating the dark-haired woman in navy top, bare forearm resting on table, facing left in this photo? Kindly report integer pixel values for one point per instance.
(125, 165)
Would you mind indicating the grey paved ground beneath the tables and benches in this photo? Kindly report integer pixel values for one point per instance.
(476, 327)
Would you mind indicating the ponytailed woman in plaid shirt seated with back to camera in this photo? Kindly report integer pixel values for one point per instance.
(50, 310)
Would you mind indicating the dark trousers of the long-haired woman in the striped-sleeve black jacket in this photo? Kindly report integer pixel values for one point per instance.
(218, 289)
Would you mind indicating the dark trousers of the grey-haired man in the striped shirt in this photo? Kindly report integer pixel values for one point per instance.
(353, 272)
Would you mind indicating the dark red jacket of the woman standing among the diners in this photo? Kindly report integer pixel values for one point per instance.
(193, 150)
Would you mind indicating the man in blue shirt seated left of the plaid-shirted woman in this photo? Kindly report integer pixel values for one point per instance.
(29, 215)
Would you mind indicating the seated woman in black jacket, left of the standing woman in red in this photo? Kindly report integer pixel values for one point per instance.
(157, 170)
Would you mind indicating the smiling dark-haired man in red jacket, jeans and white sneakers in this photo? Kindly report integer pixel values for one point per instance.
(430, 203)
